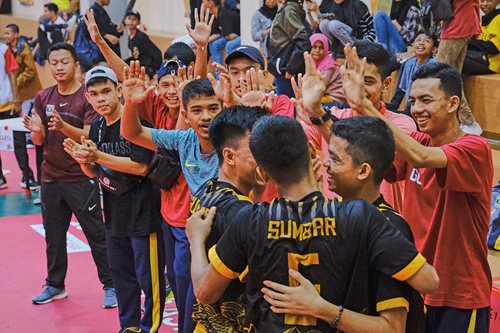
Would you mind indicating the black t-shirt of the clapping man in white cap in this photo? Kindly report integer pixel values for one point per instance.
(137, 211)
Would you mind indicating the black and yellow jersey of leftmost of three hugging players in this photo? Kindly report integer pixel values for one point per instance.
(228, 314)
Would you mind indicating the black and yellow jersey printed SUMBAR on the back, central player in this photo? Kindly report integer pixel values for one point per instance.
(333, 244)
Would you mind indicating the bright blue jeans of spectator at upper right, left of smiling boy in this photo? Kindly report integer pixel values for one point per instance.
(387, 34)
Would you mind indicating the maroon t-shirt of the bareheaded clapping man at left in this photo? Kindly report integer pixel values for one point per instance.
(76, 111)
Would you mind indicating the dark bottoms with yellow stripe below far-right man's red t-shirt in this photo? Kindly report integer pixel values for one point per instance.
(445, 319)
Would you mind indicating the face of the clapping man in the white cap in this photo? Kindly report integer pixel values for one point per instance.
(104, 97)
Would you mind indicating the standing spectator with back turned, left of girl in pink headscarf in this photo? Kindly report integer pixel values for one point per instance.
(287, 42)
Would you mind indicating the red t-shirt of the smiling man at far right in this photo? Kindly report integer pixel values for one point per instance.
(448, 211)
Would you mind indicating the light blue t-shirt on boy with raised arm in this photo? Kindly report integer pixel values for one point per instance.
(197, 167)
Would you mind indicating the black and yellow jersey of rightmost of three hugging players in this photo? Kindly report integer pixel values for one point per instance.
(390, 293)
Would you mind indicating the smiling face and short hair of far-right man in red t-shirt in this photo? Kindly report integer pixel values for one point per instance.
(430, 106)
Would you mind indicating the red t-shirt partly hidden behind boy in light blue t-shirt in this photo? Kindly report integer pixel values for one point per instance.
(174, 202)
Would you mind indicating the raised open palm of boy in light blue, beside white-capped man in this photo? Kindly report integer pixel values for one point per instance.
(134, 86)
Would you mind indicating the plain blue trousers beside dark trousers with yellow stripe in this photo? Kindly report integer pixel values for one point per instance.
(178, 262)
